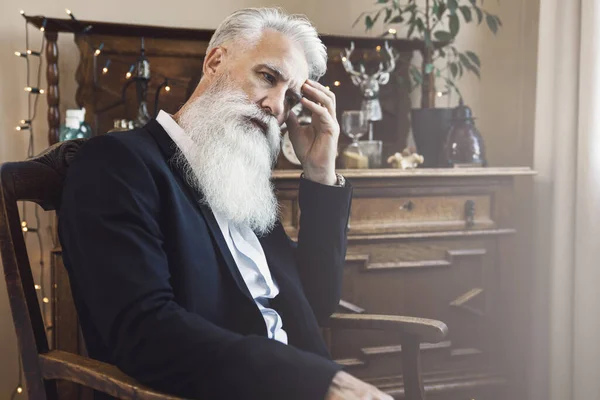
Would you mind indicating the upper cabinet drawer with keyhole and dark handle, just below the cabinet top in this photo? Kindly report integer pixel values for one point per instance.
(372, 215)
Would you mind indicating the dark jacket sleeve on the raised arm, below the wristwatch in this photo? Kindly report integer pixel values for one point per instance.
(322, 241)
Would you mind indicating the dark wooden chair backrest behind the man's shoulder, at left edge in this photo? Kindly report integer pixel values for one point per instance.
(39, 180)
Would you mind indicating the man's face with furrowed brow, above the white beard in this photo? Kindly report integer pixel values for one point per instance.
(271, 73)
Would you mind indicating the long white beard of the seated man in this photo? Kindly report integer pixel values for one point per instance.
(229, 159)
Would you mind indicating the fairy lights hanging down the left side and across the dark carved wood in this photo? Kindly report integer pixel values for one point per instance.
(31, 224)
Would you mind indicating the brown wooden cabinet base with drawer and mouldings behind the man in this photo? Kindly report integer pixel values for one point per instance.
(425, 243)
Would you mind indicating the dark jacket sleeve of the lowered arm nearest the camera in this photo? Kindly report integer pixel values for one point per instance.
(110, 232)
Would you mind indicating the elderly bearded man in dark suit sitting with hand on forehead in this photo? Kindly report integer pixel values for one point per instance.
(181, 273)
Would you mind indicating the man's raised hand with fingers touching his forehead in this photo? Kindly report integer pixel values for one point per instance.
(316, 144)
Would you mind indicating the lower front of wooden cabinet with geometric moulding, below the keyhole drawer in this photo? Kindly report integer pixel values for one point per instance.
(446, 279)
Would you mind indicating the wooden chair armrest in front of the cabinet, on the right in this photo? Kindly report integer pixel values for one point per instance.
(427, 330)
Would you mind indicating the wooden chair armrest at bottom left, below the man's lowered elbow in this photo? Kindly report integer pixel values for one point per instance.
(97, 375)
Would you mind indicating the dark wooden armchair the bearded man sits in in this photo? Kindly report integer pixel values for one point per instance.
(40, 180)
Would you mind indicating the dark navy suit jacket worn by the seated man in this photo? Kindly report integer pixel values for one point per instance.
(158, 292)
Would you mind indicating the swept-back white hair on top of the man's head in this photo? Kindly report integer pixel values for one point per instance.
(247, 25)
